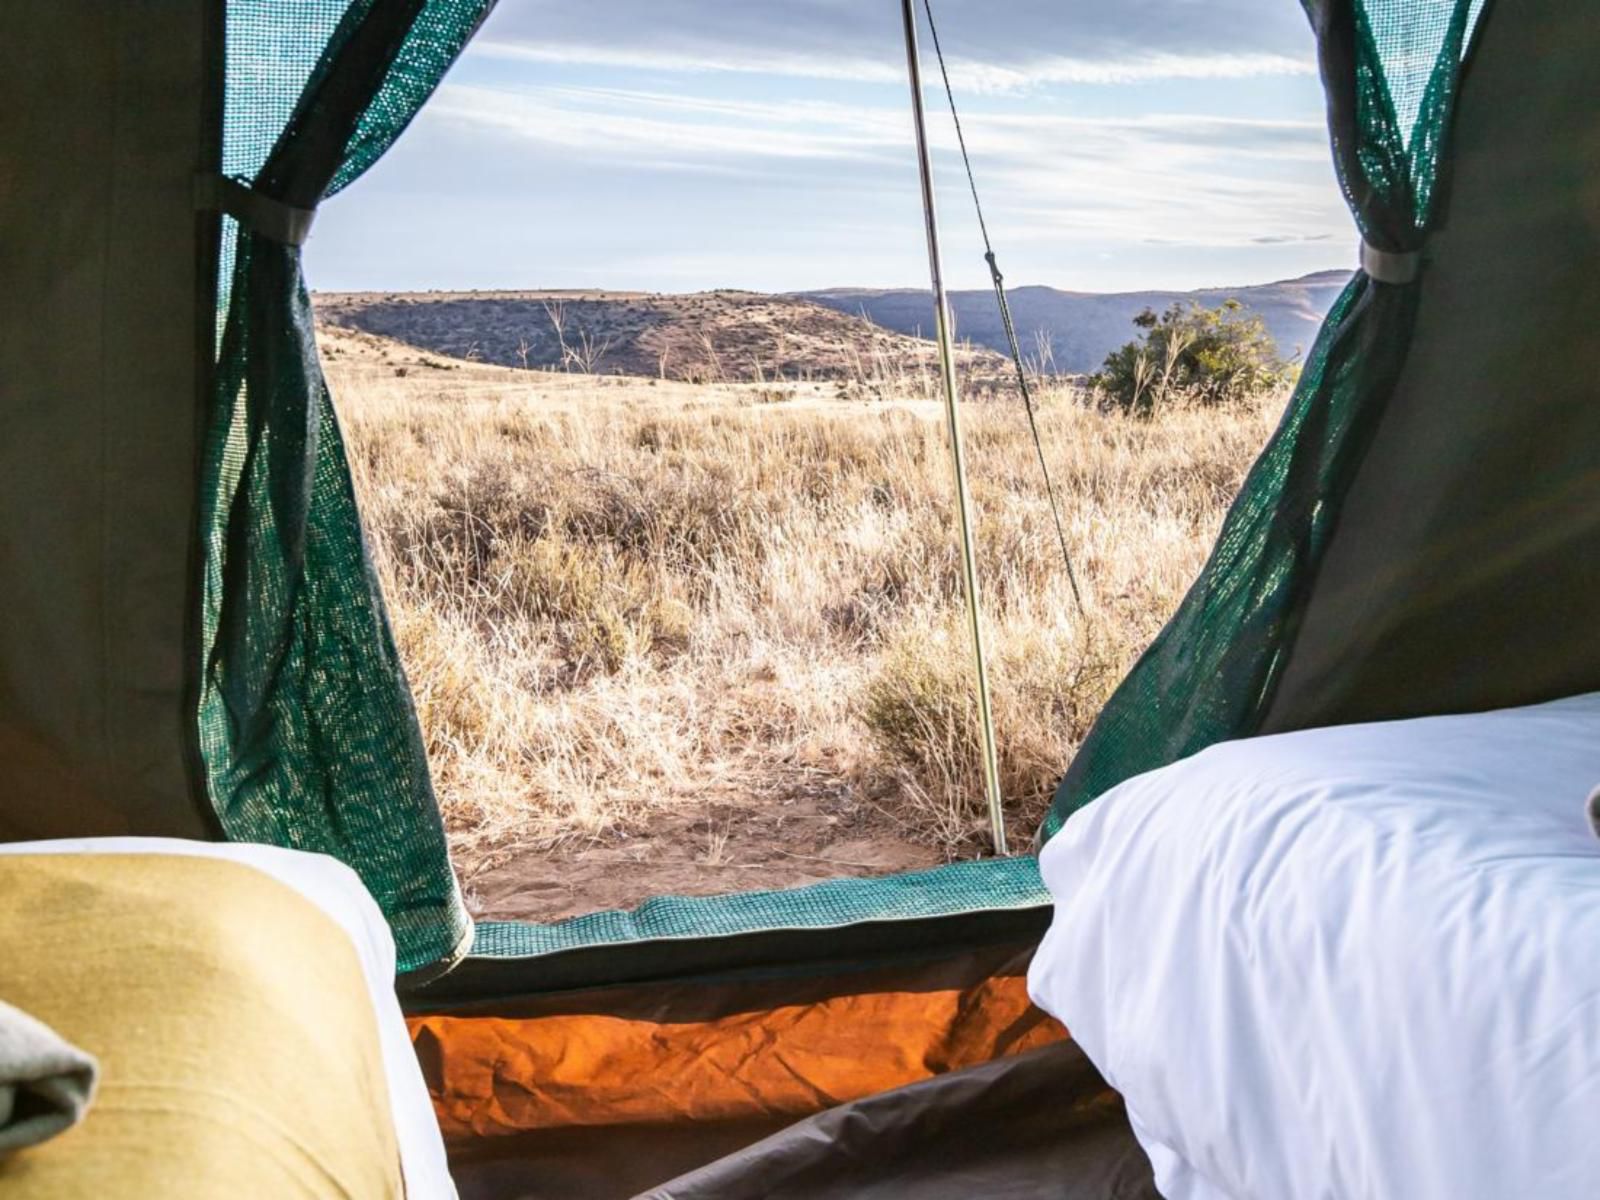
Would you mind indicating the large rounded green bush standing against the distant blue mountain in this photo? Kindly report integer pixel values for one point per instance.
(1193, 354)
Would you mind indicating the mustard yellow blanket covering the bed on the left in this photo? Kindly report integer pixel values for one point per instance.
(238, 1042)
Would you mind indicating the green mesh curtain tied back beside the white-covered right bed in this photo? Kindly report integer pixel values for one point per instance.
(1391, 71)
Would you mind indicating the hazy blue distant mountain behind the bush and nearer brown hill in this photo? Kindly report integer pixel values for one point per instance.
(1079, 327)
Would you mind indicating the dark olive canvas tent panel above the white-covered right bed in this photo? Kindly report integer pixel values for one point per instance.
(1465, 569)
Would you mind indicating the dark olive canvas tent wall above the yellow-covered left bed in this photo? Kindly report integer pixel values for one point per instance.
(106, 116)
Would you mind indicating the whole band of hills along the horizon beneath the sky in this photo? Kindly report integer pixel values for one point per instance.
(831, 335)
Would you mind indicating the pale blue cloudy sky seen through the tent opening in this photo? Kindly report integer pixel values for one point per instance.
(767, 145)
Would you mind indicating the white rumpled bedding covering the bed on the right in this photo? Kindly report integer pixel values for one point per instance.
(1351, 962)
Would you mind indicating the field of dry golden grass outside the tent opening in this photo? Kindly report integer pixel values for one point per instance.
(617, 598)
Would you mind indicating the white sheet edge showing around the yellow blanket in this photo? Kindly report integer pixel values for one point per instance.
(338, 892)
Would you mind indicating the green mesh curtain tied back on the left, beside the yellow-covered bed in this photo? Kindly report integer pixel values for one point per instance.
(306, 721)
